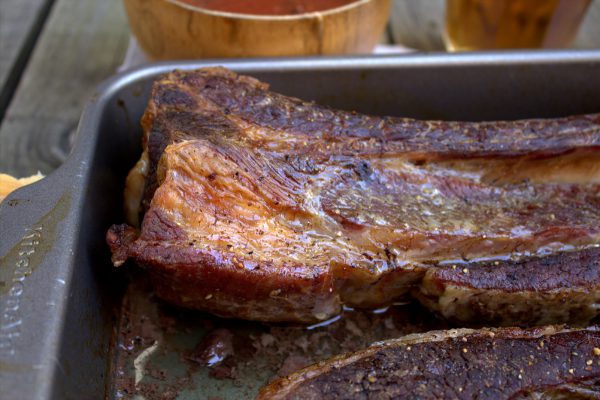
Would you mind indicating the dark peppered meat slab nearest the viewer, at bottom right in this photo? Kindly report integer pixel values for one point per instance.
(487, 364)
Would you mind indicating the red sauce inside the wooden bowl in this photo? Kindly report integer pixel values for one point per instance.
(269, 7)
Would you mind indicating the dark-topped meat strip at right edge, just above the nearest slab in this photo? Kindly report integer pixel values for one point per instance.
(534, 291)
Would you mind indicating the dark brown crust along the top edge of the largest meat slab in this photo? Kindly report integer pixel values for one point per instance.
(176, 113)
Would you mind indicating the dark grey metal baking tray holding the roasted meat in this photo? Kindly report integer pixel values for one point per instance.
(73, 327)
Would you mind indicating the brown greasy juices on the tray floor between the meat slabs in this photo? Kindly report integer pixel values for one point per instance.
(164, 352)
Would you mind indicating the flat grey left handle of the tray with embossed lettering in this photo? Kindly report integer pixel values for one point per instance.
(37, 245)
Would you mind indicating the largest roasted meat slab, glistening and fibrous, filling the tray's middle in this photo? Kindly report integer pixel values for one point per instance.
(259, 206)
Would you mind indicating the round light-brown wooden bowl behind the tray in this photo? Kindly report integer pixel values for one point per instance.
(171, 29)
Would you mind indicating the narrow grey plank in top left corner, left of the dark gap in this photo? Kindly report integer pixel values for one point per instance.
(20, 23)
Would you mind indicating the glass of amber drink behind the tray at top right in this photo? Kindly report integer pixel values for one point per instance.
(512, 24)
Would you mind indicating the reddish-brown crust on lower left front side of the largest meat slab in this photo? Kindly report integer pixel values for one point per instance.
(219, 282)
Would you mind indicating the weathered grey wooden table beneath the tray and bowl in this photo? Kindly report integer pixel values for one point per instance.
(53, 53)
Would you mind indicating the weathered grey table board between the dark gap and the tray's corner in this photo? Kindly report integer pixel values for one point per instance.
(82, 43)
